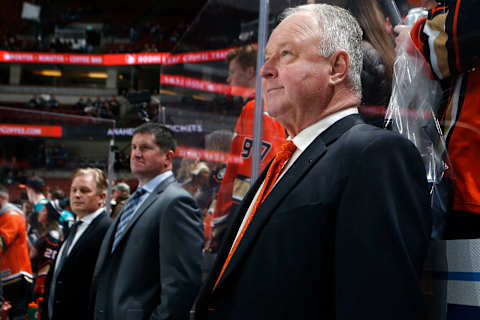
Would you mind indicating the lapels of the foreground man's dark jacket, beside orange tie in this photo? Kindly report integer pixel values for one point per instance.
(314, 152)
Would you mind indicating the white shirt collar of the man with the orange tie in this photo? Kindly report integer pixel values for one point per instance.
(303, 139)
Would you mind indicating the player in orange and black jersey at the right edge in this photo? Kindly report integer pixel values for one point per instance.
(449, 40)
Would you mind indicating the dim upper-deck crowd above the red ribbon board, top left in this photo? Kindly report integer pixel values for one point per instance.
(133, 34)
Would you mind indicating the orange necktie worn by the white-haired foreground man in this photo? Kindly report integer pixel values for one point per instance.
(282, 156)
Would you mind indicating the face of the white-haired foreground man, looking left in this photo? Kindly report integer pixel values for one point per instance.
(294, 76)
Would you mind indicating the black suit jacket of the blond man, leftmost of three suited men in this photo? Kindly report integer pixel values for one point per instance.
(75, 277)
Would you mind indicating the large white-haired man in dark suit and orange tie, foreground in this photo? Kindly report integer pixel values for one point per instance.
(344, 231)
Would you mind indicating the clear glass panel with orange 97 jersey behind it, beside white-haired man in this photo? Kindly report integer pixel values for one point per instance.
(207, 95)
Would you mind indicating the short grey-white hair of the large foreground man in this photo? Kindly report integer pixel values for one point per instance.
(342, 32)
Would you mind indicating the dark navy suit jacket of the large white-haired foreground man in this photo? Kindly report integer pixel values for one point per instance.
(343, 235)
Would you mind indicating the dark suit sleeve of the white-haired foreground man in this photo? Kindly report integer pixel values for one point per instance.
(383, 227)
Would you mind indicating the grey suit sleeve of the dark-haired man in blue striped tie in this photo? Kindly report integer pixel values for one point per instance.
(181, 241)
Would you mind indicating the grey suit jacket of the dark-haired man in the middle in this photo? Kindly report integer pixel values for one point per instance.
(155, 270)
